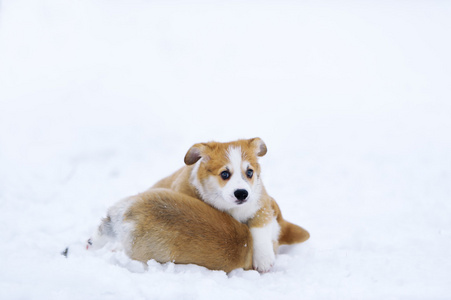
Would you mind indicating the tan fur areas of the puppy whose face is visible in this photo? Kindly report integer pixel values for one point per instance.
(251, 149)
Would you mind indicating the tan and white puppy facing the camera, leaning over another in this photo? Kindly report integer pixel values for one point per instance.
(227, 177)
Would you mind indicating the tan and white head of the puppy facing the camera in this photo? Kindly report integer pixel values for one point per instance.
(227, 175)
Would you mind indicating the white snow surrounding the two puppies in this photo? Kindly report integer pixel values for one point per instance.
(99, 99)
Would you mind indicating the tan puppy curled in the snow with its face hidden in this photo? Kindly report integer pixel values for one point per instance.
(167, 226)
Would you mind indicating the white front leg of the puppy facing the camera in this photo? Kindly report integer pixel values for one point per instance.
(263, 237)
